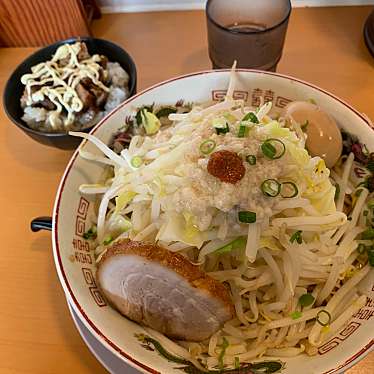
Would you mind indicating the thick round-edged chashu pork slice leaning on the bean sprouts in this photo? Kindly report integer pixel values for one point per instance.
(163, 290)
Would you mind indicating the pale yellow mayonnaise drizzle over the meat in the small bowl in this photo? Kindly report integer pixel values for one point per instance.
(58, 83)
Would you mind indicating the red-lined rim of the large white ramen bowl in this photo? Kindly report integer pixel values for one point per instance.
(99, 335)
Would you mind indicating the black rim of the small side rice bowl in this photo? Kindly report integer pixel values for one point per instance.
(21, 125)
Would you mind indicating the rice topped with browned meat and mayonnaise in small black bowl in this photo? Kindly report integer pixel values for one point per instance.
(73, 90)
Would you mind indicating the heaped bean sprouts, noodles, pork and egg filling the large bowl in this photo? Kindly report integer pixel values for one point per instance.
(224, 233)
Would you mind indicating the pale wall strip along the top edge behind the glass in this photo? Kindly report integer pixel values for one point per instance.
(153, 5)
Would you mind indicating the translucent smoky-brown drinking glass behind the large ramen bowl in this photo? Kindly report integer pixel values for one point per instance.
(252, 32)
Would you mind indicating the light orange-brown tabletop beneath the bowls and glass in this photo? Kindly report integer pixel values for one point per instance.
(323, 46)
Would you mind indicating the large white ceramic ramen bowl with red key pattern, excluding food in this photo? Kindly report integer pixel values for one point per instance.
(75, 264)
